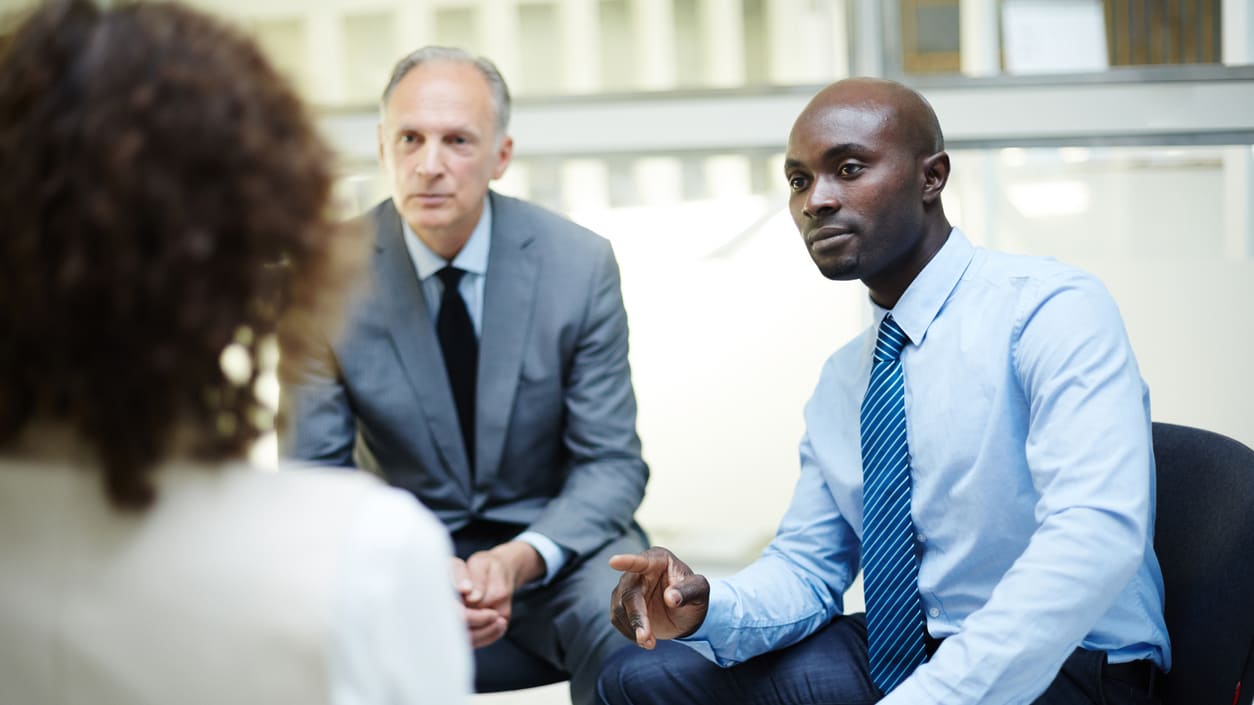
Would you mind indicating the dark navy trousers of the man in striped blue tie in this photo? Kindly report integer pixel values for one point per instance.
(830, 668)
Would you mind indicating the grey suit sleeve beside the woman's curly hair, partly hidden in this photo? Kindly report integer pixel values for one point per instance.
(322, 425)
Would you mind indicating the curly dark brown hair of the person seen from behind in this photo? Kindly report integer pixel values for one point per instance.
(165, 199)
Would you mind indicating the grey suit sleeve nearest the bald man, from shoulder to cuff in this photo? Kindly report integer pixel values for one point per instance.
(606, 480)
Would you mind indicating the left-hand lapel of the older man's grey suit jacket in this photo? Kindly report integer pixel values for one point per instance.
(413, 334)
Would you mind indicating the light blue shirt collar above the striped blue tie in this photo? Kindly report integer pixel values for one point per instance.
(921, 303)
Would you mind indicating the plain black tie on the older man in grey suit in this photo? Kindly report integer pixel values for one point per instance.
(461, 353)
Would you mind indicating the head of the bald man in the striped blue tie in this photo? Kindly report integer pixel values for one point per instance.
(866, 167)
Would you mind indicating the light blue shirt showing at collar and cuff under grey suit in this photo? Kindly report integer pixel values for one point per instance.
(473, 259)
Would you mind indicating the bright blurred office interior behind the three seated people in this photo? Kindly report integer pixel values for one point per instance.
(1113, 135)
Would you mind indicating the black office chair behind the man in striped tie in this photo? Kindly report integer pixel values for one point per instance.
(1204, 539)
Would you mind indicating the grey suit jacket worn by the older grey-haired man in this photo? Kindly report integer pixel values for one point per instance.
(556, 441)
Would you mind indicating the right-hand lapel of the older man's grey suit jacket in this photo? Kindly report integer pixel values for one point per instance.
(510, 297)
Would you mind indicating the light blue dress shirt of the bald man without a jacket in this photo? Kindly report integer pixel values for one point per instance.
(1029, 428)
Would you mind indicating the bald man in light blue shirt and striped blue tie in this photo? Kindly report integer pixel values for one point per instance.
(983, 452)
